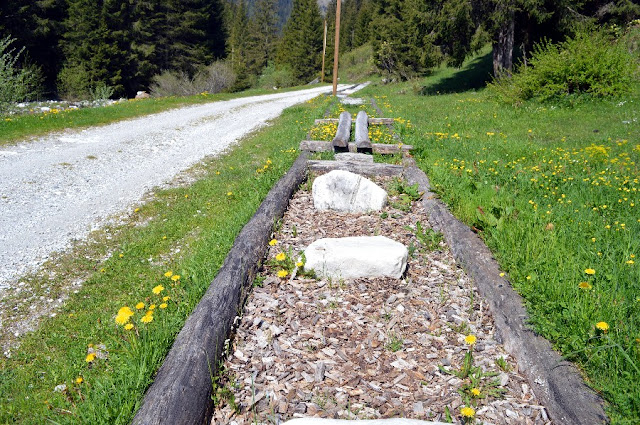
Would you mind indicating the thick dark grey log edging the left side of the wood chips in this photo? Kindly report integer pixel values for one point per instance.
(181, 391)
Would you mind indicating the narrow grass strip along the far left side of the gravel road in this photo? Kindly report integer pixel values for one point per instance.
(16, 128)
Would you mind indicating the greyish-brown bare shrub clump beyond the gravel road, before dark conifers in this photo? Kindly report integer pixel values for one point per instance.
(214, 78)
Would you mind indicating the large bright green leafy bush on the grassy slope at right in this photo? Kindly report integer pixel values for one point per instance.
(589, 65)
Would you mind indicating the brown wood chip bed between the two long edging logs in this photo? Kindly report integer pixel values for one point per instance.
(366, 348)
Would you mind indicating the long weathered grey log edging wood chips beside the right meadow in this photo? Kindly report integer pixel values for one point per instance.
(556, 382)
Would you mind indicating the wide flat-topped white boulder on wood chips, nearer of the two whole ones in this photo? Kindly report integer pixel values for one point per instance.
(353, 257)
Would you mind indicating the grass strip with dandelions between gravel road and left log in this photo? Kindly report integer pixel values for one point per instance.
(105, 343)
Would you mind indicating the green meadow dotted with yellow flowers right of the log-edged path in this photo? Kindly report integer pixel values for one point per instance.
(555, 194)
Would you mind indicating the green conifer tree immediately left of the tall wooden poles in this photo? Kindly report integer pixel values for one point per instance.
(301, 44)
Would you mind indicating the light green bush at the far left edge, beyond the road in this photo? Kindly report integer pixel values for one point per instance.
(16, 84)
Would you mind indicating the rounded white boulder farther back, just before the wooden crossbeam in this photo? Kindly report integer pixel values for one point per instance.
(344, 191)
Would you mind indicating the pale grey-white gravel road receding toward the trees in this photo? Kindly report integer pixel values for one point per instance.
(57, 189)
